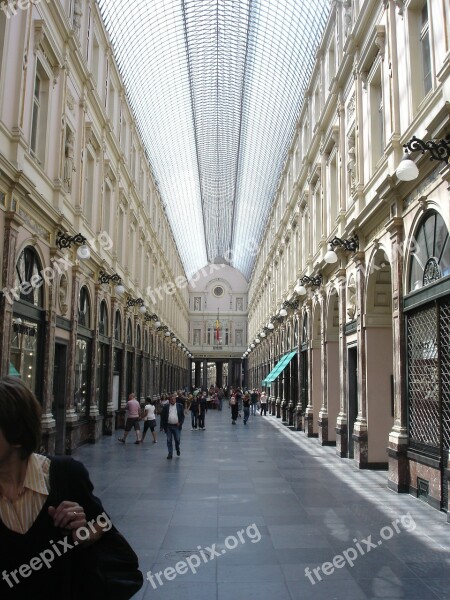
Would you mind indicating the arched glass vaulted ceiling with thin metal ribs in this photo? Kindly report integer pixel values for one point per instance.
(216, 87)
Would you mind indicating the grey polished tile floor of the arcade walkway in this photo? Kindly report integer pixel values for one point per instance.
(259, 512)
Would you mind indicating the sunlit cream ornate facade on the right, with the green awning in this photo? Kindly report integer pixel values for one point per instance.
(364, 332)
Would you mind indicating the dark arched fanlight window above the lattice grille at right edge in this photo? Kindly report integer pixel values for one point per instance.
(430, 259)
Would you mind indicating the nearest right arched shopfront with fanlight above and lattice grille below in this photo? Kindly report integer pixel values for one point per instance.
(427, 310)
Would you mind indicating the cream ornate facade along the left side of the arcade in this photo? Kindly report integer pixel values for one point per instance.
(89, 311)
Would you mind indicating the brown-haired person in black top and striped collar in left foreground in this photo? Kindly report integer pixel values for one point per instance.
(49, 516)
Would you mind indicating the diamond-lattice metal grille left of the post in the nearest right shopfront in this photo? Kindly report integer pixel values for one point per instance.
(423, 379)
